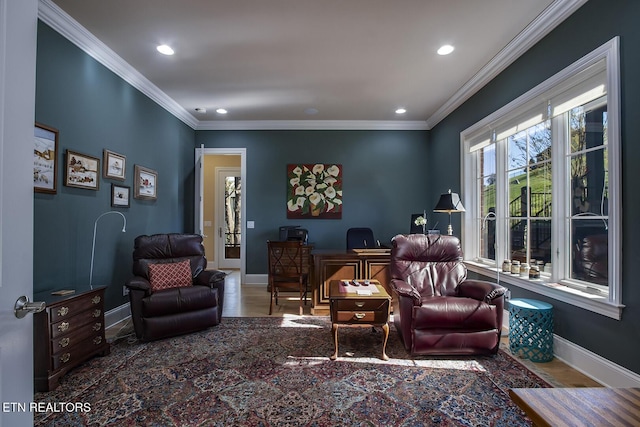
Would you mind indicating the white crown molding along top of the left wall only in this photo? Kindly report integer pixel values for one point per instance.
(69, 28)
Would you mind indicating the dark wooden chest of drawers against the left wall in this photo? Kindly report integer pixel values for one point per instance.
(69, 331)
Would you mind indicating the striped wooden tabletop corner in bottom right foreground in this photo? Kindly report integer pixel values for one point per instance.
(578, 407)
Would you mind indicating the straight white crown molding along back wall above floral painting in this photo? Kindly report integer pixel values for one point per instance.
(312, 125)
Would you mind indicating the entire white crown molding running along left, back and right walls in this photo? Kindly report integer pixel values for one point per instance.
(69, 28)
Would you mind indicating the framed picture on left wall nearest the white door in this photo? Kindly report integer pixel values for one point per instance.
(45, 157)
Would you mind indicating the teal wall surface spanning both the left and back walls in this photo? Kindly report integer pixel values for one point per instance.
(384, 174)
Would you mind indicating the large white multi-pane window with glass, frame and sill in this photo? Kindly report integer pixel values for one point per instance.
(541, 186)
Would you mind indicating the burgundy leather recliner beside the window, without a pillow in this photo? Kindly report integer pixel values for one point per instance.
(436, 309)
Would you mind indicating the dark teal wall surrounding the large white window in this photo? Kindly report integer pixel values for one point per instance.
(597, 22)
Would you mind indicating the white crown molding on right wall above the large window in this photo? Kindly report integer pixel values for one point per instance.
(544, 23)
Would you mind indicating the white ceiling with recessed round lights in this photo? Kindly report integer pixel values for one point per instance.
(271, 61)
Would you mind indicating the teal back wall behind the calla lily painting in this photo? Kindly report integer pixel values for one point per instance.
(384, 182)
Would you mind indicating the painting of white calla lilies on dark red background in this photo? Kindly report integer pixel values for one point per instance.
(314, 191)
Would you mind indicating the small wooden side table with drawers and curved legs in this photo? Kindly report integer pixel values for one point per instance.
(366, 303)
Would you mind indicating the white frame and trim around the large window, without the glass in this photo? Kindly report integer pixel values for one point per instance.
(561, 288)
